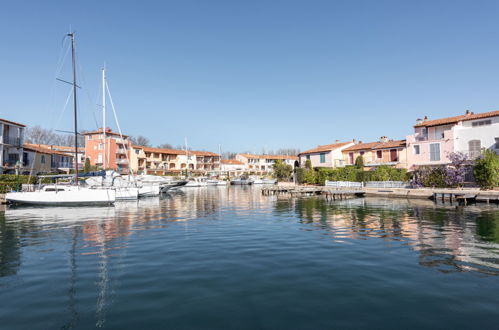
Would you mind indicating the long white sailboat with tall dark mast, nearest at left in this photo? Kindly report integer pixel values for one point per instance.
(65, 194)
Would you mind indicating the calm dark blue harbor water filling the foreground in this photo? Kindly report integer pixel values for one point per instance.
(229, 258)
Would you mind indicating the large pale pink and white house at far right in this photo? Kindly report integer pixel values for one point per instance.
(434, 140)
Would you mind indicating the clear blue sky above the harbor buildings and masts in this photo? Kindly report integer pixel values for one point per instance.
(250, 74)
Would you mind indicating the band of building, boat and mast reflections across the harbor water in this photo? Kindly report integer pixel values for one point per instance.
(448, 239)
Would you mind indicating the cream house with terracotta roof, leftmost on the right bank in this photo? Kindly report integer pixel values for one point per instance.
(328, 155)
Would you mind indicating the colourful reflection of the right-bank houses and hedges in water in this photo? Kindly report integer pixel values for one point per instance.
(448, 238)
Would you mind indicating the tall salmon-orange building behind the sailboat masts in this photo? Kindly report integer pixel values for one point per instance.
(117, 155)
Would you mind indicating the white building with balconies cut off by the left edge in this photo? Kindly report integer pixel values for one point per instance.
(11, 145)
